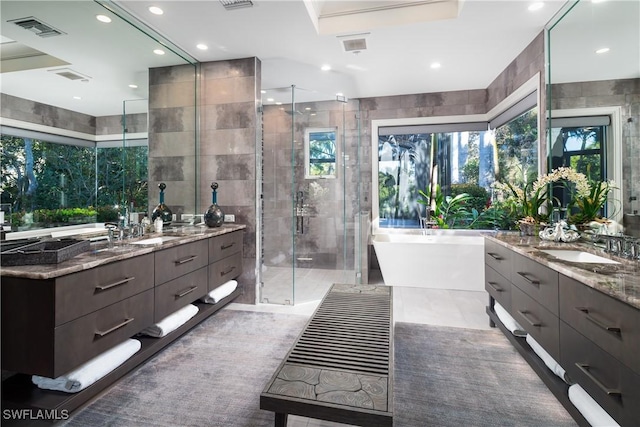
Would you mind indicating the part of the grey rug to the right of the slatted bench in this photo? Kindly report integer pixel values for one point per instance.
(463, 377)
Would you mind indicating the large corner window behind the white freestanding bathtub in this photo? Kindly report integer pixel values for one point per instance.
(457, 158)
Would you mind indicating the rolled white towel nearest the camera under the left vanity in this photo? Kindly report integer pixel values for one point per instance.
(91, 371)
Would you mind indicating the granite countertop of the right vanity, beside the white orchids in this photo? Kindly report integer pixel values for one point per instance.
(620, 281)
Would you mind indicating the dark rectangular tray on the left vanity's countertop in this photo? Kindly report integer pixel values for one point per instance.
(44, 252)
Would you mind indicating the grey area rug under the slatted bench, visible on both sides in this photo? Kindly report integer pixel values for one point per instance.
(213, 376)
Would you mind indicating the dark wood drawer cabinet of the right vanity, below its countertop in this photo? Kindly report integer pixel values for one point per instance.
(593, 336)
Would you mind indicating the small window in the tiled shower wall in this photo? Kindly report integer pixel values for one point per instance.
(320, 152)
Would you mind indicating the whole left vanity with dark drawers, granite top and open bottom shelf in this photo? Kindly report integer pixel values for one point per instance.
(56, 317)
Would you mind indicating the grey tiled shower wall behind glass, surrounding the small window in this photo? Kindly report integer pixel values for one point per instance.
(327, 232)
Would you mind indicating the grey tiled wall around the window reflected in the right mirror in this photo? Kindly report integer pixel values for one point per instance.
(624, 93)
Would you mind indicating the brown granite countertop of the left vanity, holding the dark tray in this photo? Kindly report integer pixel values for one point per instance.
(100, 254)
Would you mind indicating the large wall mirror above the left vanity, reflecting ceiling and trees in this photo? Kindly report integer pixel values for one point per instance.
(75, 79)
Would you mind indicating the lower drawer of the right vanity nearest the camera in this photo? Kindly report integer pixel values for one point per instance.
(615, 387)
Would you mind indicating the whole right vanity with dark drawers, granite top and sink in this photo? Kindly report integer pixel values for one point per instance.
(582, 306)
